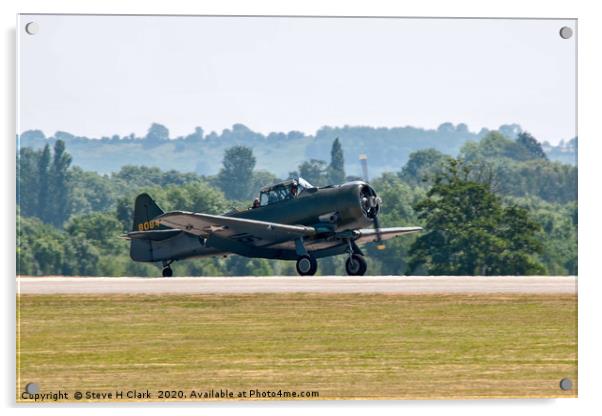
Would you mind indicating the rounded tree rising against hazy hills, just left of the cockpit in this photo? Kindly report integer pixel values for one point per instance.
(236, 176)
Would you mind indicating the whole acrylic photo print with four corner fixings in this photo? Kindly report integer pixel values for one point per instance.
(286, 208)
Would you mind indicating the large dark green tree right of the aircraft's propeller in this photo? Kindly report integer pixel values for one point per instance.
(470, 232)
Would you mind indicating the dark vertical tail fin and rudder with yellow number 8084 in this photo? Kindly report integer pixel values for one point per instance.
(145, 212)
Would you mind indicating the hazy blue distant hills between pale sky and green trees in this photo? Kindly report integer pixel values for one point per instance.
(387, 149)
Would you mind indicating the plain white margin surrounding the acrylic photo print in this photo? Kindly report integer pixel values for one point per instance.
(590, 34)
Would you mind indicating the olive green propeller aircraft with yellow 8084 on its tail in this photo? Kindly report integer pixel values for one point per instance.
(291, 220)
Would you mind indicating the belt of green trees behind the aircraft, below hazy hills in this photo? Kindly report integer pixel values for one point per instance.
(480, 215)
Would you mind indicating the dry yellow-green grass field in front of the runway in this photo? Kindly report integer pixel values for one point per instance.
(341, 345)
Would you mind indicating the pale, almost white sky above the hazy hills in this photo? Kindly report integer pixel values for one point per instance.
(104, 75)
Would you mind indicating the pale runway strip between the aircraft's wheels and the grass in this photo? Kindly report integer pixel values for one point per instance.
(295, 284)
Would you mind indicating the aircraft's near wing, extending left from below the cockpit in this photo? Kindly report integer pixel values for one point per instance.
(240, 229)
